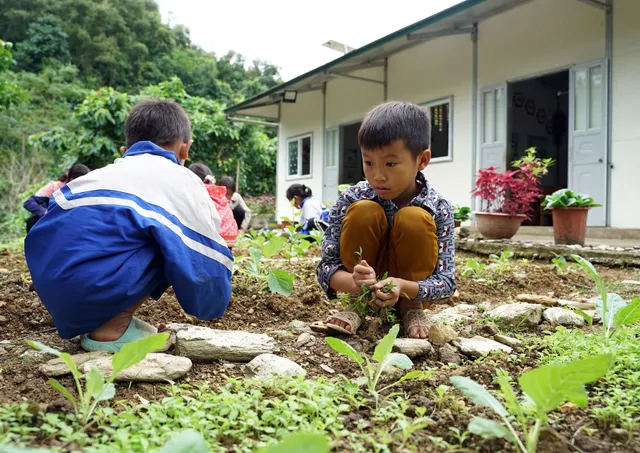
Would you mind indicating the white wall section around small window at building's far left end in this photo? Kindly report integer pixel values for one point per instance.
(303, 117)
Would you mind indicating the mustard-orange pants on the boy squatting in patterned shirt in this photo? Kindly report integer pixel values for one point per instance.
(408, 250)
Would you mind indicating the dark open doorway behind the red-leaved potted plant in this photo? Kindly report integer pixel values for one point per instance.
(538, 116)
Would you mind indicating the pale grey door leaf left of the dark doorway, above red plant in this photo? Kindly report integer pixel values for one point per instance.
(493, 140)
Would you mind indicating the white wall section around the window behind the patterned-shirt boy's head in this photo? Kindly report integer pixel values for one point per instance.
(434, 70)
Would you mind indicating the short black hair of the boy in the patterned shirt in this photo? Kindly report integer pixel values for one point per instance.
(394, 121)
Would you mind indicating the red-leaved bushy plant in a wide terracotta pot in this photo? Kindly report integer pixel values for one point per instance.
(506, 198)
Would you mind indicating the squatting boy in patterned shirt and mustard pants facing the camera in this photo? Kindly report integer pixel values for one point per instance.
(402, 224)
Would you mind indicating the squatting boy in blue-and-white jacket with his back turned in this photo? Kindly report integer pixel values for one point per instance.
(126, 232)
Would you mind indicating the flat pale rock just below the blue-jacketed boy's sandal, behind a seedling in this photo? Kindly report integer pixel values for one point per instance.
(156, 367)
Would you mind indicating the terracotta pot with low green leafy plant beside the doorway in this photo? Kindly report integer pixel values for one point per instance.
(569, 210)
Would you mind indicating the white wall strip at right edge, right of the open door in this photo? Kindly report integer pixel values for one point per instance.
(625, 184)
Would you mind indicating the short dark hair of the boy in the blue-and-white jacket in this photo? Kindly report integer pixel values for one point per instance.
(160, 121)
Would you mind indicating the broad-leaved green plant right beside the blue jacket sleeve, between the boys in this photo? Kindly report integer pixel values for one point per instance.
(277, 280)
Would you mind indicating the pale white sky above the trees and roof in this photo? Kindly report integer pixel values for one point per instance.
(288, 34)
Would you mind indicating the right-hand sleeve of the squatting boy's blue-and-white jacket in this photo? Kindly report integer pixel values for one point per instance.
(197, 264)
